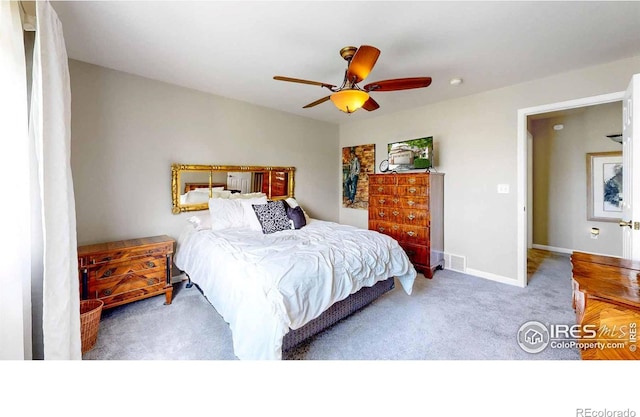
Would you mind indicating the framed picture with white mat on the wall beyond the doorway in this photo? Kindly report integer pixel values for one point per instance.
(604, 186)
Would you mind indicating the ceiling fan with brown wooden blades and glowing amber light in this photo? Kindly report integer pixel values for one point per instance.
(349, 97)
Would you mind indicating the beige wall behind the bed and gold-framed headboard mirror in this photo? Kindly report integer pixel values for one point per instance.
(127, 130)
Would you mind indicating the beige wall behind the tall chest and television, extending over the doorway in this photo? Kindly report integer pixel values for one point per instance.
(476, 142)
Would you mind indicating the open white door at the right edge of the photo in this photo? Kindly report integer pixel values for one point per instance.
(630, 222)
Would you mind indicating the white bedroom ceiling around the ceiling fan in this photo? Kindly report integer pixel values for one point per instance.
(233, 49)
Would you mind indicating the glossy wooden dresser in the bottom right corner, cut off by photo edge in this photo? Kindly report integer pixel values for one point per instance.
(606, 299)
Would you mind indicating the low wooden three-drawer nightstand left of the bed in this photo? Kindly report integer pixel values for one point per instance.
(126, 270)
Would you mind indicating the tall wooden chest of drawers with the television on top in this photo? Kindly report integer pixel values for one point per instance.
(409, 207)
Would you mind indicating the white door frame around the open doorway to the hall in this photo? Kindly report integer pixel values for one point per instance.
(523, 165)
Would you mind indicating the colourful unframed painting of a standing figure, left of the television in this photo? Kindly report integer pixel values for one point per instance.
(357, 163)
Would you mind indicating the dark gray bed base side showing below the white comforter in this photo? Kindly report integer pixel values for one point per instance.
(336, 312)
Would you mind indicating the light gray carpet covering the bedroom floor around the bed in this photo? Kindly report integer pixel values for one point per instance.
(451, 317)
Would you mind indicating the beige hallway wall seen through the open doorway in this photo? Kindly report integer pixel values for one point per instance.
(559, 179)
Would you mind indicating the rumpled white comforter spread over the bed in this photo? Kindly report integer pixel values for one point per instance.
(263, 285)
